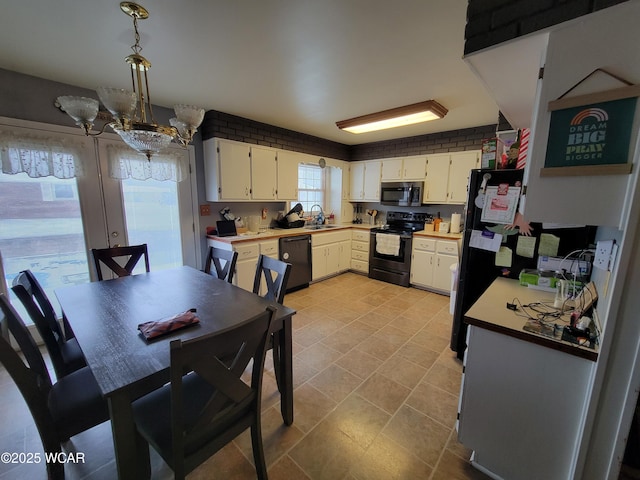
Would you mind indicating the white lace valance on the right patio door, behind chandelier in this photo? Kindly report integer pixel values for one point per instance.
(126, 163)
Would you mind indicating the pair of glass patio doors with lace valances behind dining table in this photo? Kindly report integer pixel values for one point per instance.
(54, 207)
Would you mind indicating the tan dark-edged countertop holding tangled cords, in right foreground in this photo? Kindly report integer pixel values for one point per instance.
(491, 312)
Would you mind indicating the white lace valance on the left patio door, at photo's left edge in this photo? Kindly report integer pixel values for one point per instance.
(40, 155)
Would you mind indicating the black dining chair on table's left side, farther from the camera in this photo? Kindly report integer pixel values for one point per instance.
(66, 355)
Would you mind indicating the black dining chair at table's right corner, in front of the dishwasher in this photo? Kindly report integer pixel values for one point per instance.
(275, 274)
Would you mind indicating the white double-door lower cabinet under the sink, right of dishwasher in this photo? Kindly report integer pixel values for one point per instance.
(330, 253)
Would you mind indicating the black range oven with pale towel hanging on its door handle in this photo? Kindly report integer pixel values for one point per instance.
(390, 247)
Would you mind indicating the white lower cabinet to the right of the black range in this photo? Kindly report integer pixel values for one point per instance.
(431, 261)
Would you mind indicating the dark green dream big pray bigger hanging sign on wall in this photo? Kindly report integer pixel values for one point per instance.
(590, 134)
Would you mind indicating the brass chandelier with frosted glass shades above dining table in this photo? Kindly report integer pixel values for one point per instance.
(129, 108)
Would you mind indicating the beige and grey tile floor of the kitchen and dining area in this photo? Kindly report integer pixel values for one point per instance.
(376, 395)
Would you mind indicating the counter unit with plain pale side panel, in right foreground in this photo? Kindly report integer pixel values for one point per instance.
(523, 396)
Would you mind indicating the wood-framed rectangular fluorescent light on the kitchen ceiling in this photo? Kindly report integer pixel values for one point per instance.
(395, 117)
